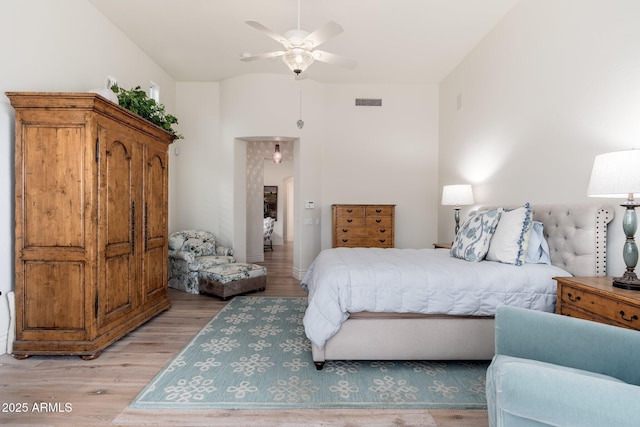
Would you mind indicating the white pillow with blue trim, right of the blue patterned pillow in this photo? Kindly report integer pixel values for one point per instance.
(511, 239)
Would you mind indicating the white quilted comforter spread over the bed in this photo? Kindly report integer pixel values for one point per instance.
(348, 280)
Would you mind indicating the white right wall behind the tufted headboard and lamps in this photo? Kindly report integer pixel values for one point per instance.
(553, 84)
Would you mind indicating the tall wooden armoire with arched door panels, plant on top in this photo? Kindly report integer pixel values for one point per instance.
(90, 222)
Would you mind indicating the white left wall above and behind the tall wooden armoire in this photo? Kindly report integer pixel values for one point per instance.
(66, 46)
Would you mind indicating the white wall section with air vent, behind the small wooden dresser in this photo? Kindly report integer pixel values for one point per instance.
(386, 155)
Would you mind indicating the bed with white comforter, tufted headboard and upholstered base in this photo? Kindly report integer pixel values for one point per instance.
(345, 322)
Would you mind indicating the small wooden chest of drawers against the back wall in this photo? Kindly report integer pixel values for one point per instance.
(363, 226)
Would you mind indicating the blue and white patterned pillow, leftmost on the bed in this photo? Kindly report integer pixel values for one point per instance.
(473, 238)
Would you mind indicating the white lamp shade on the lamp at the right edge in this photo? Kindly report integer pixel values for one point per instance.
(615, 174)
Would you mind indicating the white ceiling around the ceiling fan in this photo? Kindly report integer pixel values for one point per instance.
(394, 41)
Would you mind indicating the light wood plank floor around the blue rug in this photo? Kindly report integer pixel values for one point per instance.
(98, 392)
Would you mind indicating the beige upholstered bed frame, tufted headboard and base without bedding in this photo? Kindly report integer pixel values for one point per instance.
(577, 238)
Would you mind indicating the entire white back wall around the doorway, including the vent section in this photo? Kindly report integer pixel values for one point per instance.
(344, 154)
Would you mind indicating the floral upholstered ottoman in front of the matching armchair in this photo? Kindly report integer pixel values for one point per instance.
(227, 280)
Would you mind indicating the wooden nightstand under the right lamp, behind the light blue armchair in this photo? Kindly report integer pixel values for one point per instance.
(595, 298)
